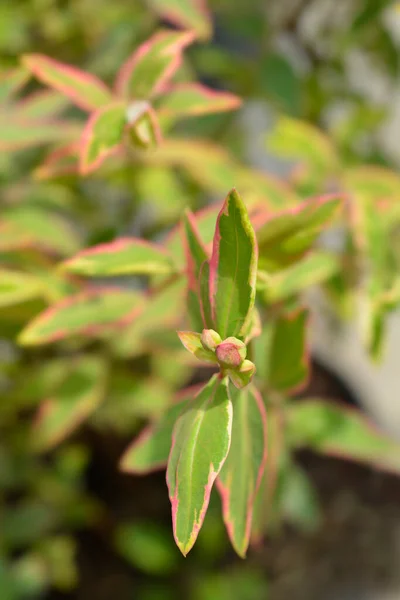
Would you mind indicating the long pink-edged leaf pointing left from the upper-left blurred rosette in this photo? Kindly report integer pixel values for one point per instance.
(85, 90)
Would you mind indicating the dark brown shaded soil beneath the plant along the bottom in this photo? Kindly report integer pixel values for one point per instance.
(355, 554)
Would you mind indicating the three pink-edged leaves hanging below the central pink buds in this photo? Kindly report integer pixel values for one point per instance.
(215, 437)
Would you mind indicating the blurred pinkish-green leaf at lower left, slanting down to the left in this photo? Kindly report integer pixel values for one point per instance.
(77, 397)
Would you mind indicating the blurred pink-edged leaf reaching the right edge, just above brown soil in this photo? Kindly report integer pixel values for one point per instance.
(336, 430)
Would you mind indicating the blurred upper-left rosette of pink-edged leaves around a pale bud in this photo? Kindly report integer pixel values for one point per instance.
(125, 113)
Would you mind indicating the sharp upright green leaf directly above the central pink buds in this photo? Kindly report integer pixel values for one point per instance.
(233, 269)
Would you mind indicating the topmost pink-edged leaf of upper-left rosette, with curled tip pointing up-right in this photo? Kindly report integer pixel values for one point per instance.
(147, 71)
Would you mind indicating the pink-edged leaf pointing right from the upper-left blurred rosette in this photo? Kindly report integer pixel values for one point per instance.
(194, 99)
